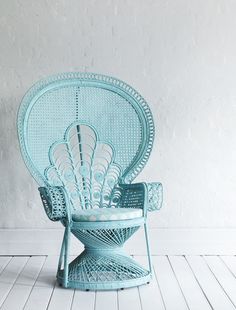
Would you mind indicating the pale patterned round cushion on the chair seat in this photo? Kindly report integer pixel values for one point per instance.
(106, 214)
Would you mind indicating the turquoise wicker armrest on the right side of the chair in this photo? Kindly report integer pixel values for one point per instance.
(146, 196)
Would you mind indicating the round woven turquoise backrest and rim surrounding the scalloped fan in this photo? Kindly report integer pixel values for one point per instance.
(120, 115)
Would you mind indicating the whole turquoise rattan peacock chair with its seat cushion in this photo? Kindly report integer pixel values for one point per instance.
(85, 137)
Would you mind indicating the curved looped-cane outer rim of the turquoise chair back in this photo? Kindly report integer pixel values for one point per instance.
(93, 80)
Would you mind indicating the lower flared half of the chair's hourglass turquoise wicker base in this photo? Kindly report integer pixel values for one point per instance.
(104, 269)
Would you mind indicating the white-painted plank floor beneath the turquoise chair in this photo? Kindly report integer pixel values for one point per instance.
(181, 282)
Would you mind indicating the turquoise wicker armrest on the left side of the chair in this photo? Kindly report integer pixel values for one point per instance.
(55, 202)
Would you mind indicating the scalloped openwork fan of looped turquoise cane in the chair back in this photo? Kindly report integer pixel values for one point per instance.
(85, 166)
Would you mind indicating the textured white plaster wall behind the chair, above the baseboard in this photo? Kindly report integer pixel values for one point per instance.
(180, 54)
